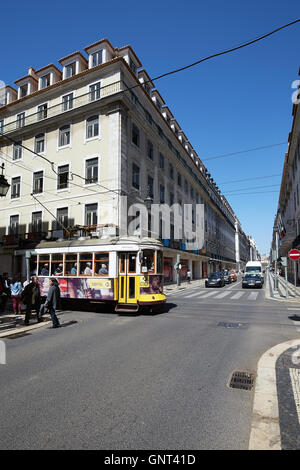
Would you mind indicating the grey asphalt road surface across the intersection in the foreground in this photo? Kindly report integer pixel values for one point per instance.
(141, 382)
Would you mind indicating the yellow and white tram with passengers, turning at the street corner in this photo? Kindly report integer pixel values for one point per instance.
(124, 271)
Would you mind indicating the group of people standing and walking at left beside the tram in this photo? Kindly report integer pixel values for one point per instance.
(29, 295)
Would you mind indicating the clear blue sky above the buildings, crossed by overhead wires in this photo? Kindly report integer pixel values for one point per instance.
(232, 103)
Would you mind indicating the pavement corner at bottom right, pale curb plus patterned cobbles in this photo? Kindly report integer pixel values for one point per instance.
(276, 406)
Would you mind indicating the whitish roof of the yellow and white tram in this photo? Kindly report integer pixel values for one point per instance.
(99, 242)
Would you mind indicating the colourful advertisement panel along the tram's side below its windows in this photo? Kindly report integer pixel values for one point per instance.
(81, 288)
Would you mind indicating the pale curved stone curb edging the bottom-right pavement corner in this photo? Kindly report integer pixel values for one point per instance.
(265, 429)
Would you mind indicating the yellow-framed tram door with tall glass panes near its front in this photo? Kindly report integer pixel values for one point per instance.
(127, 277)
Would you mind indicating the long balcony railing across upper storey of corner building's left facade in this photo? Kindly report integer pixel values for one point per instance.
(60, 108)
